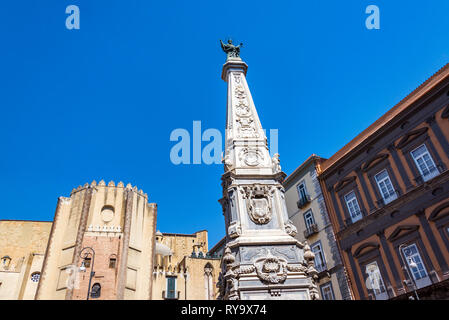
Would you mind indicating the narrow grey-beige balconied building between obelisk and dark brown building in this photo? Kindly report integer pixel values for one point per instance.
(307, 211)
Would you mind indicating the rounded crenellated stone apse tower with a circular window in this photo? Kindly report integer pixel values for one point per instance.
(107, 228)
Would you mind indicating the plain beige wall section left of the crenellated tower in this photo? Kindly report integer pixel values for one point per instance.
(22, 250)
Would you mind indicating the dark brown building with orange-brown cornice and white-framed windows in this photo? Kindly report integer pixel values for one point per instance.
(387, 192)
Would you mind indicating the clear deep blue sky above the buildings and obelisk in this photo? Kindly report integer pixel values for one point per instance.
(101, 102)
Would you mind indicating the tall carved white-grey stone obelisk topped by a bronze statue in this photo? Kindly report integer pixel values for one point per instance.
(262, 258)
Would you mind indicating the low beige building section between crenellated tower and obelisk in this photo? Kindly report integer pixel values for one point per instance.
(184, 269)
